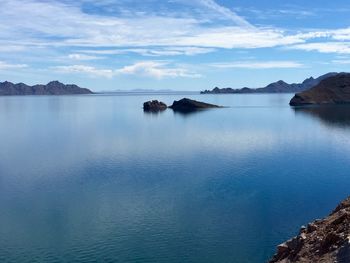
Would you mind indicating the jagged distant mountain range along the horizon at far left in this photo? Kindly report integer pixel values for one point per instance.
(52, 88)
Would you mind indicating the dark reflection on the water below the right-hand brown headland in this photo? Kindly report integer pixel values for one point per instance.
(338, 115)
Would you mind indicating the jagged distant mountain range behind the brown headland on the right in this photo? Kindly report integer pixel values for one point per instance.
(276, 87)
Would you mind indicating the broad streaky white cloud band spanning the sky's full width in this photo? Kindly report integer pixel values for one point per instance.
(147, 34)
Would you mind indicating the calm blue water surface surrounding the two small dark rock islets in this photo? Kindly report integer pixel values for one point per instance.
(95, 179)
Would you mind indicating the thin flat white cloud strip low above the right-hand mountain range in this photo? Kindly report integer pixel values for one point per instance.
(259, 65)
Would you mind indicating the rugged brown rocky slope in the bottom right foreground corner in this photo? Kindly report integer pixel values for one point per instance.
(326, 240)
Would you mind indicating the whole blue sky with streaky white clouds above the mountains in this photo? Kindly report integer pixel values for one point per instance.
(182, 45)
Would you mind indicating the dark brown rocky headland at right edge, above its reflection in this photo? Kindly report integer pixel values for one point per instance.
(332, 90)
